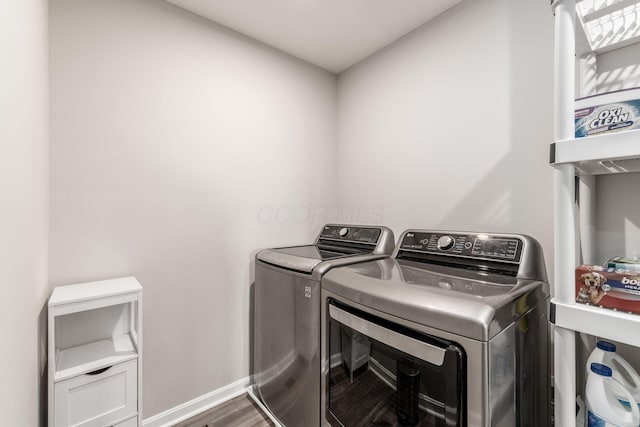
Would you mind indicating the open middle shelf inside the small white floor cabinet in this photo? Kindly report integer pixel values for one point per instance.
(89, 357)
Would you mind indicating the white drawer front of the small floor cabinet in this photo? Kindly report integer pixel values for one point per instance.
(99, 399)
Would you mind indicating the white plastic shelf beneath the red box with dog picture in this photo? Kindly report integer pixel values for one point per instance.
(600, 322)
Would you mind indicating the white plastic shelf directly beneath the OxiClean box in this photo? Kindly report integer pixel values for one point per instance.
(601, 154)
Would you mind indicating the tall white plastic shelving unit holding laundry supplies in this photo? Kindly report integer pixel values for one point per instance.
(584, 157)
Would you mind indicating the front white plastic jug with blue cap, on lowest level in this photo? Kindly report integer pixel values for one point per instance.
(603, 407)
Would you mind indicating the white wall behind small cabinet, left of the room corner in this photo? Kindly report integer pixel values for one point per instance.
(179, 148)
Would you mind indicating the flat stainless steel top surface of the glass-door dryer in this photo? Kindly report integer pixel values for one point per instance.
(473, 304)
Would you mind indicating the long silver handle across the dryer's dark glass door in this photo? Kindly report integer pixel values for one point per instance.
(420, 349)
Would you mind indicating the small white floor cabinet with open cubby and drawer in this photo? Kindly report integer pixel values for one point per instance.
(95, 354)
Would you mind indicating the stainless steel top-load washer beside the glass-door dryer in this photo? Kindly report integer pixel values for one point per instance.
(287, 316)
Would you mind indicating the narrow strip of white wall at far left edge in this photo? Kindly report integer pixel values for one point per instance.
(24, 128)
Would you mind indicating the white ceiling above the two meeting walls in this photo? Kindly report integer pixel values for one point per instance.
(333, 34)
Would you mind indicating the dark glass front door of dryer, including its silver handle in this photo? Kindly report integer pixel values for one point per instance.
(384, 374)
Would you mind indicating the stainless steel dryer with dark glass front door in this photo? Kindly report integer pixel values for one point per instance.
(451, 331)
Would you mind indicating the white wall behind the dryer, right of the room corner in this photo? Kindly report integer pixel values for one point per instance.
(449, 128)
